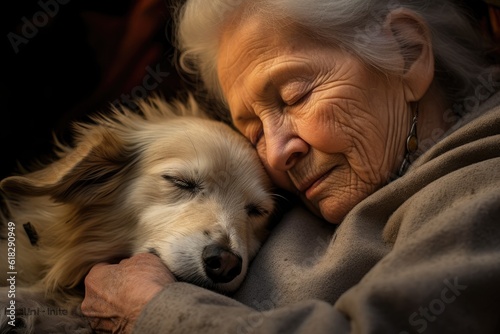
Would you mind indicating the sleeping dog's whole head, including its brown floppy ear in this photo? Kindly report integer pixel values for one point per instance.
(186, 188)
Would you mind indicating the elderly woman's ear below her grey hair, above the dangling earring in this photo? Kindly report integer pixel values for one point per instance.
(413, 38)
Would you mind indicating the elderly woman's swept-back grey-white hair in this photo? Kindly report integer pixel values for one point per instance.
(354, 25)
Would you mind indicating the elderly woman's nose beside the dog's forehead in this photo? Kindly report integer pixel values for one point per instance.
(284, 148)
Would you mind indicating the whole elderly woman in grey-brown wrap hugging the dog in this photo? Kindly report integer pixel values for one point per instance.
(381, 116)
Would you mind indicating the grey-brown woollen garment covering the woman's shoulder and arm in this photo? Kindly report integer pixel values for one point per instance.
(420, 255)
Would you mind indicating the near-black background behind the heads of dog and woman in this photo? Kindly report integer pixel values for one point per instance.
(83, 55)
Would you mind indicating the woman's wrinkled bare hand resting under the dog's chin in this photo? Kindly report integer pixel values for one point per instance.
(115, 294)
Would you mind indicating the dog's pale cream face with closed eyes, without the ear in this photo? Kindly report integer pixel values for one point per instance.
(203, 200)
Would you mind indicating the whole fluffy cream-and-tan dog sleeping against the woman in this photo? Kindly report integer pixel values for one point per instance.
(166, 180)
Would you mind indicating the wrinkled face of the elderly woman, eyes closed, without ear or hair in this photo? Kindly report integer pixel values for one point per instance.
(324, 125)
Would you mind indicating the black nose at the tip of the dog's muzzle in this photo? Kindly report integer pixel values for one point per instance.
(221, 265)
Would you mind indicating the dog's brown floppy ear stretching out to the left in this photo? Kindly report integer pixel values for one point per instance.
(89, 173)
